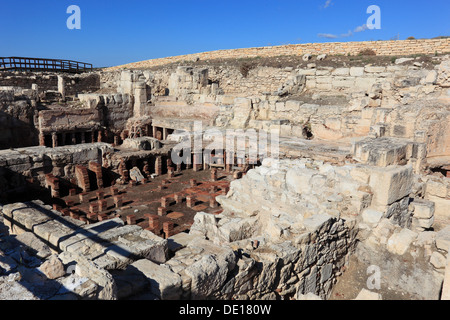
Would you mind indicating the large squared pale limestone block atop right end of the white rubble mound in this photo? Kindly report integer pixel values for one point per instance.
(391, 184)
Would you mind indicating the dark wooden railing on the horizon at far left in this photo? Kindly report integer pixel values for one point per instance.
(39, 64)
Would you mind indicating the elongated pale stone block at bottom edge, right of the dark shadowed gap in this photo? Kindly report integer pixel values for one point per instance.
(164, 283)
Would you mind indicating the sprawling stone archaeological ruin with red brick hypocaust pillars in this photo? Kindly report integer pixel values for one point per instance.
(297, 172)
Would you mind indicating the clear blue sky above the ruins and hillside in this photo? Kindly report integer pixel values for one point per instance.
(116, 32)
